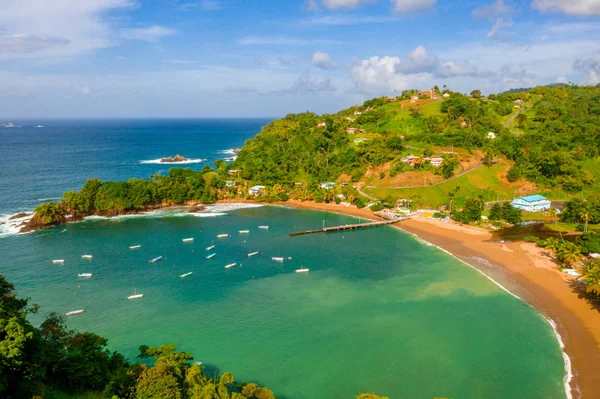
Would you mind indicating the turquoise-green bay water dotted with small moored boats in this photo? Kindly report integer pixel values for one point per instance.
(379, 311)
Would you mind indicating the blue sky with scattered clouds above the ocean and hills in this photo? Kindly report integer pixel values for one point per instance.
(222, 58)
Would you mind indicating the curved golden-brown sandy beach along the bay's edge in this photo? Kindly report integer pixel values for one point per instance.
(522, 268)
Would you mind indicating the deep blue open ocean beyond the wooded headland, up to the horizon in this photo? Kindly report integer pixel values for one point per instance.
(40, 163)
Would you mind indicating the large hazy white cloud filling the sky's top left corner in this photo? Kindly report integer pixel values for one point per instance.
(57, 28)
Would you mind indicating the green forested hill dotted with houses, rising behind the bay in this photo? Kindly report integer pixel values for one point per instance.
(545, 135)
